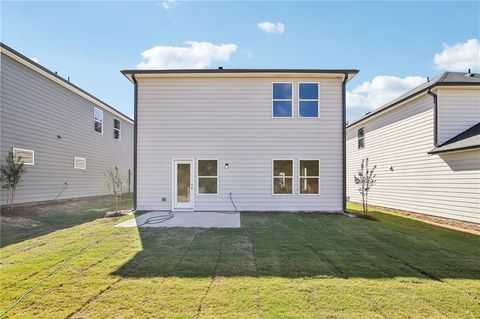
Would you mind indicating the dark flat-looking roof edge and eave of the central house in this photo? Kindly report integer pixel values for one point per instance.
(221, 72)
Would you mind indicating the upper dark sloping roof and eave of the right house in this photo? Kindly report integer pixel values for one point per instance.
(444, 79)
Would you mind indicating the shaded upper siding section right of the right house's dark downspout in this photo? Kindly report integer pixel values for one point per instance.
(458, 110)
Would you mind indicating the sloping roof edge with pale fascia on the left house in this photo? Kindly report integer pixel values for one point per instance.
(17, 56)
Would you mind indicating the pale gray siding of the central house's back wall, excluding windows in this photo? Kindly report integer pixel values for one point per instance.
(231, 120)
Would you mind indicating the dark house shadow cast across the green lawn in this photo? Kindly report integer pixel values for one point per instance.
(308, 245)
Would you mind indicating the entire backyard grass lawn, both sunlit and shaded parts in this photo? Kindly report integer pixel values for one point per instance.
(275, 266)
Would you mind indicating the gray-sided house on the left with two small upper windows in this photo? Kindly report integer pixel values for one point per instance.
(66, 137)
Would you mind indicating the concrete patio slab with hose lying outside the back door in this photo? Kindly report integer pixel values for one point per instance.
(185, 219)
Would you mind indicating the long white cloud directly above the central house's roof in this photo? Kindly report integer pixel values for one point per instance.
(195, 55)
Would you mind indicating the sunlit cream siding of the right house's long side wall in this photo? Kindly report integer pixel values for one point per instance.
(442, 185)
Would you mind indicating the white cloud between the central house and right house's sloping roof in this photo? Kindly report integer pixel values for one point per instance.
(381, 90)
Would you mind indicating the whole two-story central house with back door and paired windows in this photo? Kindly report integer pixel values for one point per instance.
(273, 140)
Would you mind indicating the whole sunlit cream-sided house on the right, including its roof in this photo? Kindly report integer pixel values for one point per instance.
(426, 145)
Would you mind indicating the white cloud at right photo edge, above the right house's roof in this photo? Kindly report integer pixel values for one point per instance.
(459, 57)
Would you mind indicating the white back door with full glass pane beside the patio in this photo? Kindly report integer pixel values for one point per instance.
(183, 184)
